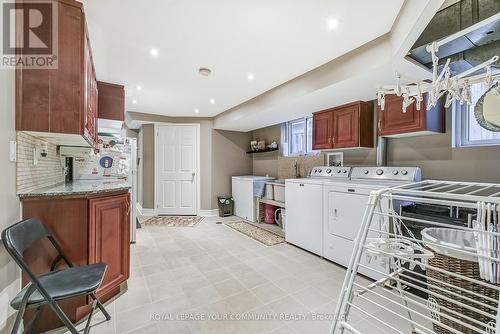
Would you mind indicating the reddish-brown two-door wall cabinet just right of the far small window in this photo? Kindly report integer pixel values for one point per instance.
(346, 126)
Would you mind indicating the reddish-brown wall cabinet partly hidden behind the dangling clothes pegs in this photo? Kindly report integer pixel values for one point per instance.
(393, 122)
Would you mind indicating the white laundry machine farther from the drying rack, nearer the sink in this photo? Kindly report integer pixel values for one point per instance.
(304, 207)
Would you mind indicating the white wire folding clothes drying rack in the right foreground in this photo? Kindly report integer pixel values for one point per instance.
(387, 303)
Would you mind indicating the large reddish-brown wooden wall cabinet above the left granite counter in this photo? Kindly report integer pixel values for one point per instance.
(61, 100)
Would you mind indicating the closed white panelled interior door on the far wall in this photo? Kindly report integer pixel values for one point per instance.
(176, 168)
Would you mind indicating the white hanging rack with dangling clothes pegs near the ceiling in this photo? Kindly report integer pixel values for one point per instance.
(456, 88)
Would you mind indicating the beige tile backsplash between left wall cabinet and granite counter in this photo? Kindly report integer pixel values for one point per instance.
(47, 172)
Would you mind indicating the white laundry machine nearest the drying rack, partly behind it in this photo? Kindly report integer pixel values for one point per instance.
(344, 207)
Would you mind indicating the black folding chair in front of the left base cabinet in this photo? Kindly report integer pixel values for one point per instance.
(54, 285)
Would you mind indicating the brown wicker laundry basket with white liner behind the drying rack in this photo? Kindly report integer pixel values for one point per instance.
(440, 283)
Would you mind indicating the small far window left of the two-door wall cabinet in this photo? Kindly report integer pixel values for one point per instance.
(297, 137)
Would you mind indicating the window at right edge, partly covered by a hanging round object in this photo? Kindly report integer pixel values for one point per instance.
(467, 132)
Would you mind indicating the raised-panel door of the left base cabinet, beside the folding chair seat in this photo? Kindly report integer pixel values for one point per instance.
(110, 239)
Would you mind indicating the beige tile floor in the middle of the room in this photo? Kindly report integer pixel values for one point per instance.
(212, 270)
